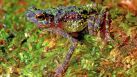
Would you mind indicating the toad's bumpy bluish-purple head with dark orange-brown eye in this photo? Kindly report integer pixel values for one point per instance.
(39, 17)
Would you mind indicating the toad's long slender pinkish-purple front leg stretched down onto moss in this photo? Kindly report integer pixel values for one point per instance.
(63, 67)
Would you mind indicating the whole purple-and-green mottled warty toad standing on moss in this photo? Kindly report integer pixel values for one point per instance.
(65, 20)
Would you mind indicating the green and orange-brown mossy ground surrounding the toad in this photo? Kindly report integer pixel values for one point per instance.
(25, 51)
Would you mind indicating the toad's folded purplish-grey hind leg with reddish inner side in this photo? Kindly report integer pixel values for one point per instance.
(100, 23)
